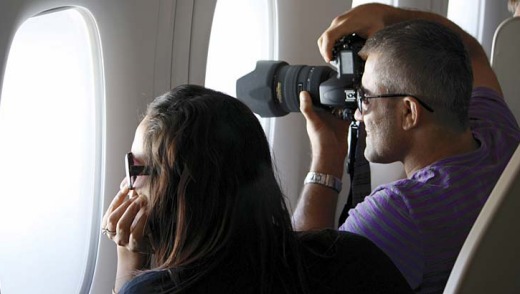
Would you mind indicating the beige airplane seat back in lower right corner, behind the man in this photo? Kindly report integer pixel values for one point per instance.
(489, 261)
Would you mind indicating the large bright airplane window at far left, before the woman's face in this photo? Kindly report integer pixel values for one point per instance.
(50, 147)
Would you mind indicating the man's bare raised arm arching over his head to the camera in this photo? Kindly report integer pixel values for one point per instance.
(356, 20)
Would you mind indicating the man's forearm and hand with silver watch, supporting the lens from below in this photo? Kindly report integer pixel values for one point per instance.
(328, 135)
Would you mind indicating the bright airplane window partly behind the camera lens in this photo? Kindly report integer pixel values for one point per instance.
(241, 34)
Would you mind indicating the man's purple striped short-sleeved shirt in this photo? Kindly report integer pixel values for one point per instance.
(422, 222)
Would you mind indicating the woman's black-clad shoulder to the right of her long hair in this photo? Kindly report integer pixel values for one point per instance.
(340, 262)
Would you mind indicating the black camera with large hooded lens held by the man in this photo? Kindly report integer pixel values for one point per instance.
(273, 88)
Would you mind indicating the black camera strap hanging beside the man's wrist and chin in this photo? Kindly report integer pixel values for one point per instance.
(358, 168)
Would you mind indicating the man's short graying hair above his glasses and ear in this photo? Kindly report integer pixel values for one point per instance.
(427, 60)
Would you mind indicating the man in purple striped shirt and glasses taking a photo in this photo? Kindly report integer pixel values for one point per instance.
(430, 100)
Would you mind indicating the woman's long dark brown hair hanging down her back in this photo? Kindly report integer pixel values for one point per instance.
(214, 196)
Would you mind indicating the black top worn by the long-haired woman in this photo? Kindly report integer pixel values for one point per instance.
(336, 262)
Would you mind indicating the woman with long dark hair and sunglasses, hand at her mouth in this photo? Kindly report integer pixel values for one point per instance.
(203, 197)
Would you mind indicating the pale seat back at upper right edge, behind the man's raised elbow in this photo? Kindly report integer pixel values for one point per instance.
(505, 60)
